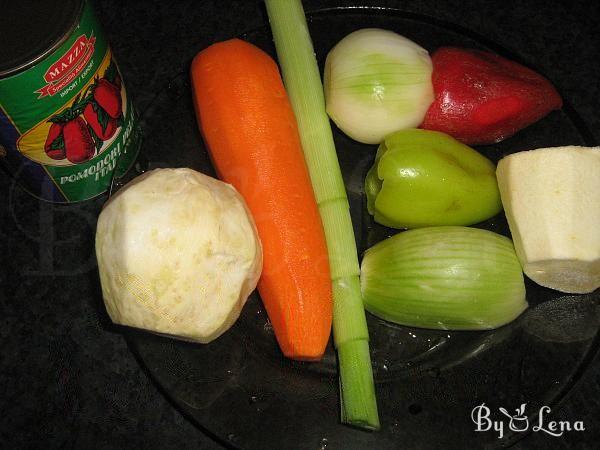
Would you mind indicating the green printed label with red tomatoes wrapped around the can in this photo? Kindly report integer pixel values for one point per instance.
(66, 124)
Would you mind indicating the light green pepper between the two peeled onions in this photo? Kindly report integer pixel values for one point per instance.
(426, 178)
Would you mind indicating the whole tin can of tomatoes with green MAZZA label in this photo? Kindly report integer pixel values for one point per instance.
(65, 119)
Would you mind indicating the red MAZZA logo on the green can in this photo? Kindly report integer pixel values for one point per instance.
(65, 70)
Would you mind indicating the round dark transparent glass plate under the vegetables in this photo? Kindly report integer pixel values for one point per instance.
(244, 393)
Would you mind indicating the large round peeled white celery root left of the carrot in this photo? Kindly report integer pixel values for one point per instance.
(178, 254)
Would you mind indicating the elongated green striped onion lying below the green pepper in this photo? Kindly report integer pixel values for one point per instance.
(450, 278)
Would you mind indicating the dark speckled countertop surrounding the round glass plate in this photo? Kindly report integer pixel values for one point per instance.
(68, 379)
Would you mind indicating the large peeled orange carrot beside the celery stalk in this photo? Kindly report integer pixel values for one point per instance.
(250, 130)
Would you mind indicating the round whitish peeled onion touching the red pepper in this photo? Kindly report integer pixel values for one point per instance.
(377, 82)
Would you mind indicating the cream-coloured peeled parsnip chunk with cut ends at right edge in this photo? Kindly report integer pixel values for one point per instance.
(551, 197)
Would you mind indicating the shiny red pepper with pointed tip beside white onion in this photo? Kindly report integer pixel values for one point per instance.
(482, 98)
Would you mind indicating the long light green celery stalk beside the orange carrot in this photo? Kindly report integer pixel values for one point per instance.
(303, 83)
